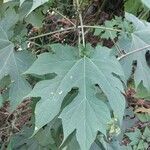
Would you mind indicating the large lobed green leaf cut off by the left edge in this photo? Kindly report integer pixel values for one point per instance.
(14, 64)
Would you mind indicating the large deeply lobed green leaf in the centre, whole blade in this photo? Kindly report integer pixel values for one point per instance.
(86, 114)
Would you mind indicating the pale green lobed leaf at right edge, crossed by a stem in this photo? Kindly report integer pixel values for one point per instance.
(139, 40)
